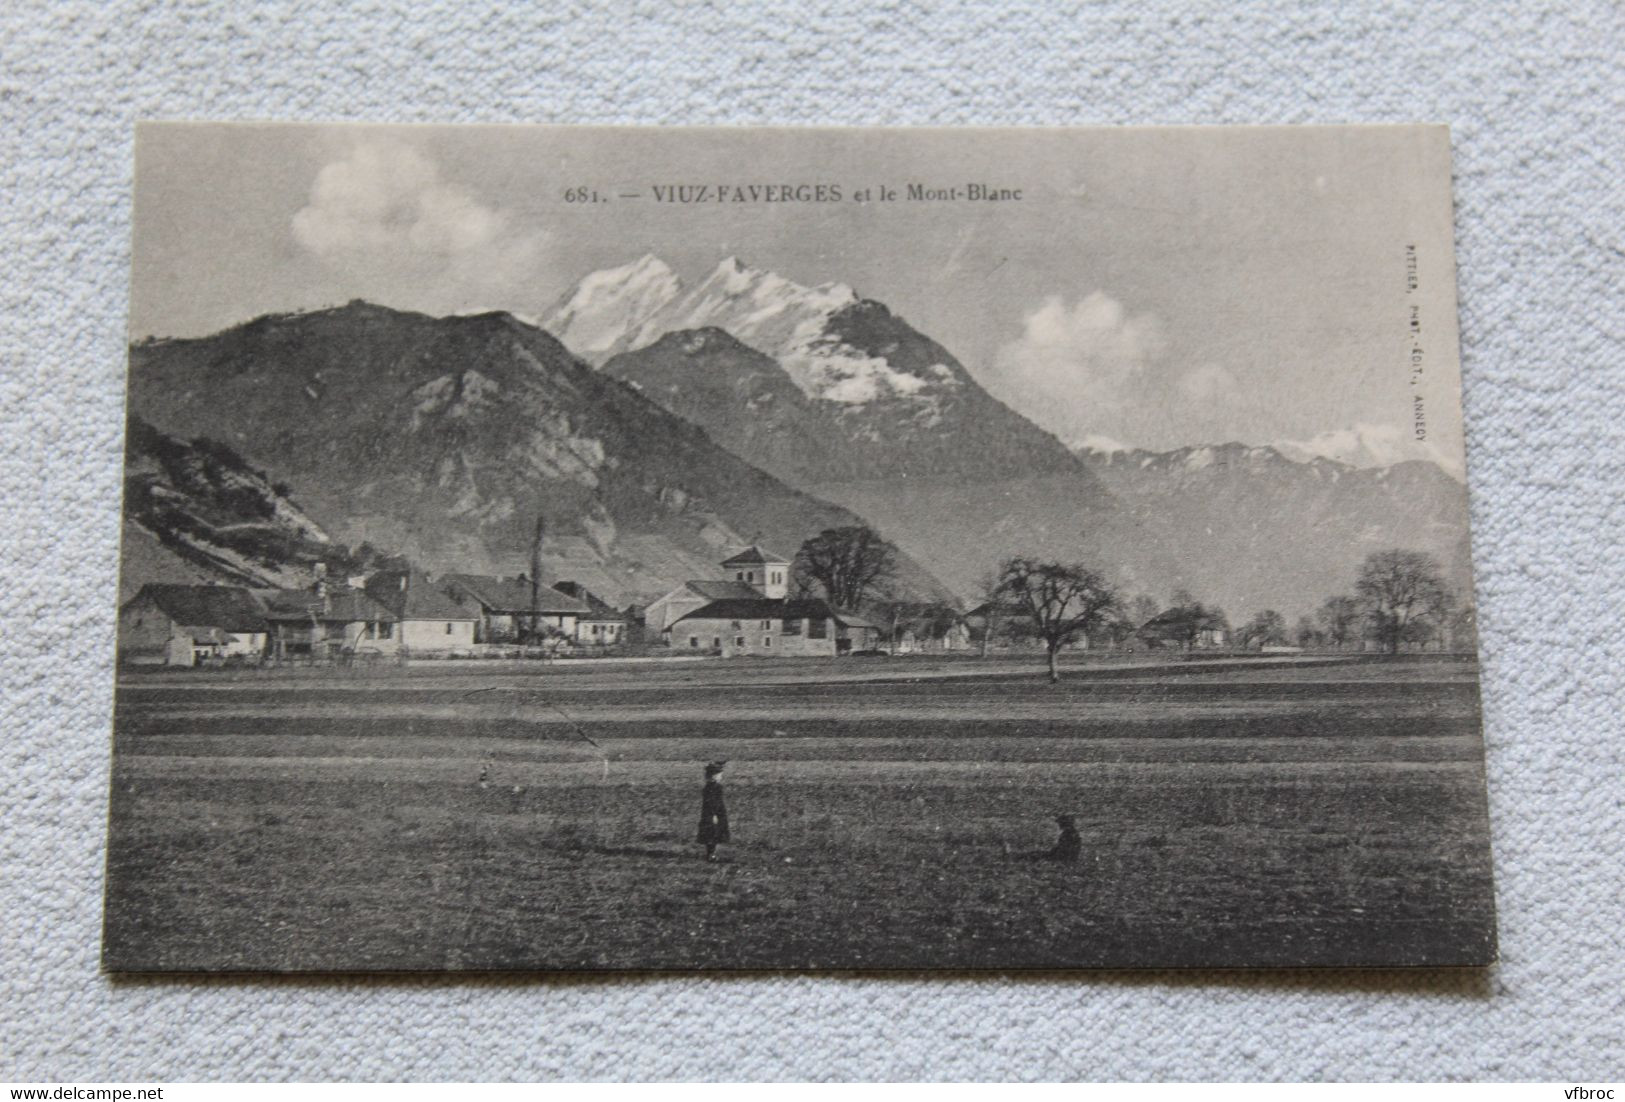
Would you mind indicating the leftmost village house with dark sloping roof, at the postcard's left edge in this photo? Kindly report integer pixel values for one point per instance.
(184, 625)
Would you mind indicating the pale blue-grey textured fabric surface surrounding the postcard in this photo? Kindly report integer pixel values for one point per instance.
(1536, 98)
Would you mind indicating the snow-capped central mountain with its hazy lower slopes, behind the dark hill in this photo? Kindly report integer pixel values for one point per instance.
(844, 399)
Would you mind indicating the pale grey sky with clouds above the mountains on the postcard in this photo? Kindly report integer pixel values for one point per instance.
(1150, 289)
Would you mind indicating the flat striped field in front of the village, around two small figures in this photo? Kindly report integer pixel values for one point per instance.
(885, 817)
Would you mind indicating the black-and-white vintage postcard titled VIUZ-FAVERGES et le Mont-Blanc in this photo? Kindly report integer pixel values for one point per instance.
(607, 549)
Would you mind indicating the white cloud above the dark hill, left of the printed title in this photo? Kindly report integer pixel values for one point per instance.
(386, 210)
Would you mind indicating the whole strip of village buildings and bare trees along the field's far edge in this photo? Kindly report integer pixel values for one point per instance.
(756, 607)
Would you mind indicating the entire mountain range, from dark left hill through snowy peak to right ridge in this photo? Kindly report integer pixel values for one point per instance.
(657, 425)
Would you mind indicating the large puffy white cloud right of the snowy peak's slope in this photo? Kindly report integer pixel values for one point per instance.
(1080, 370)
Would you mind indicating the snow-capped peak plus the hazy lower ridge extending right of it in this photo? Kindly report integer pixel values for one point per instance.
(841, 397)
